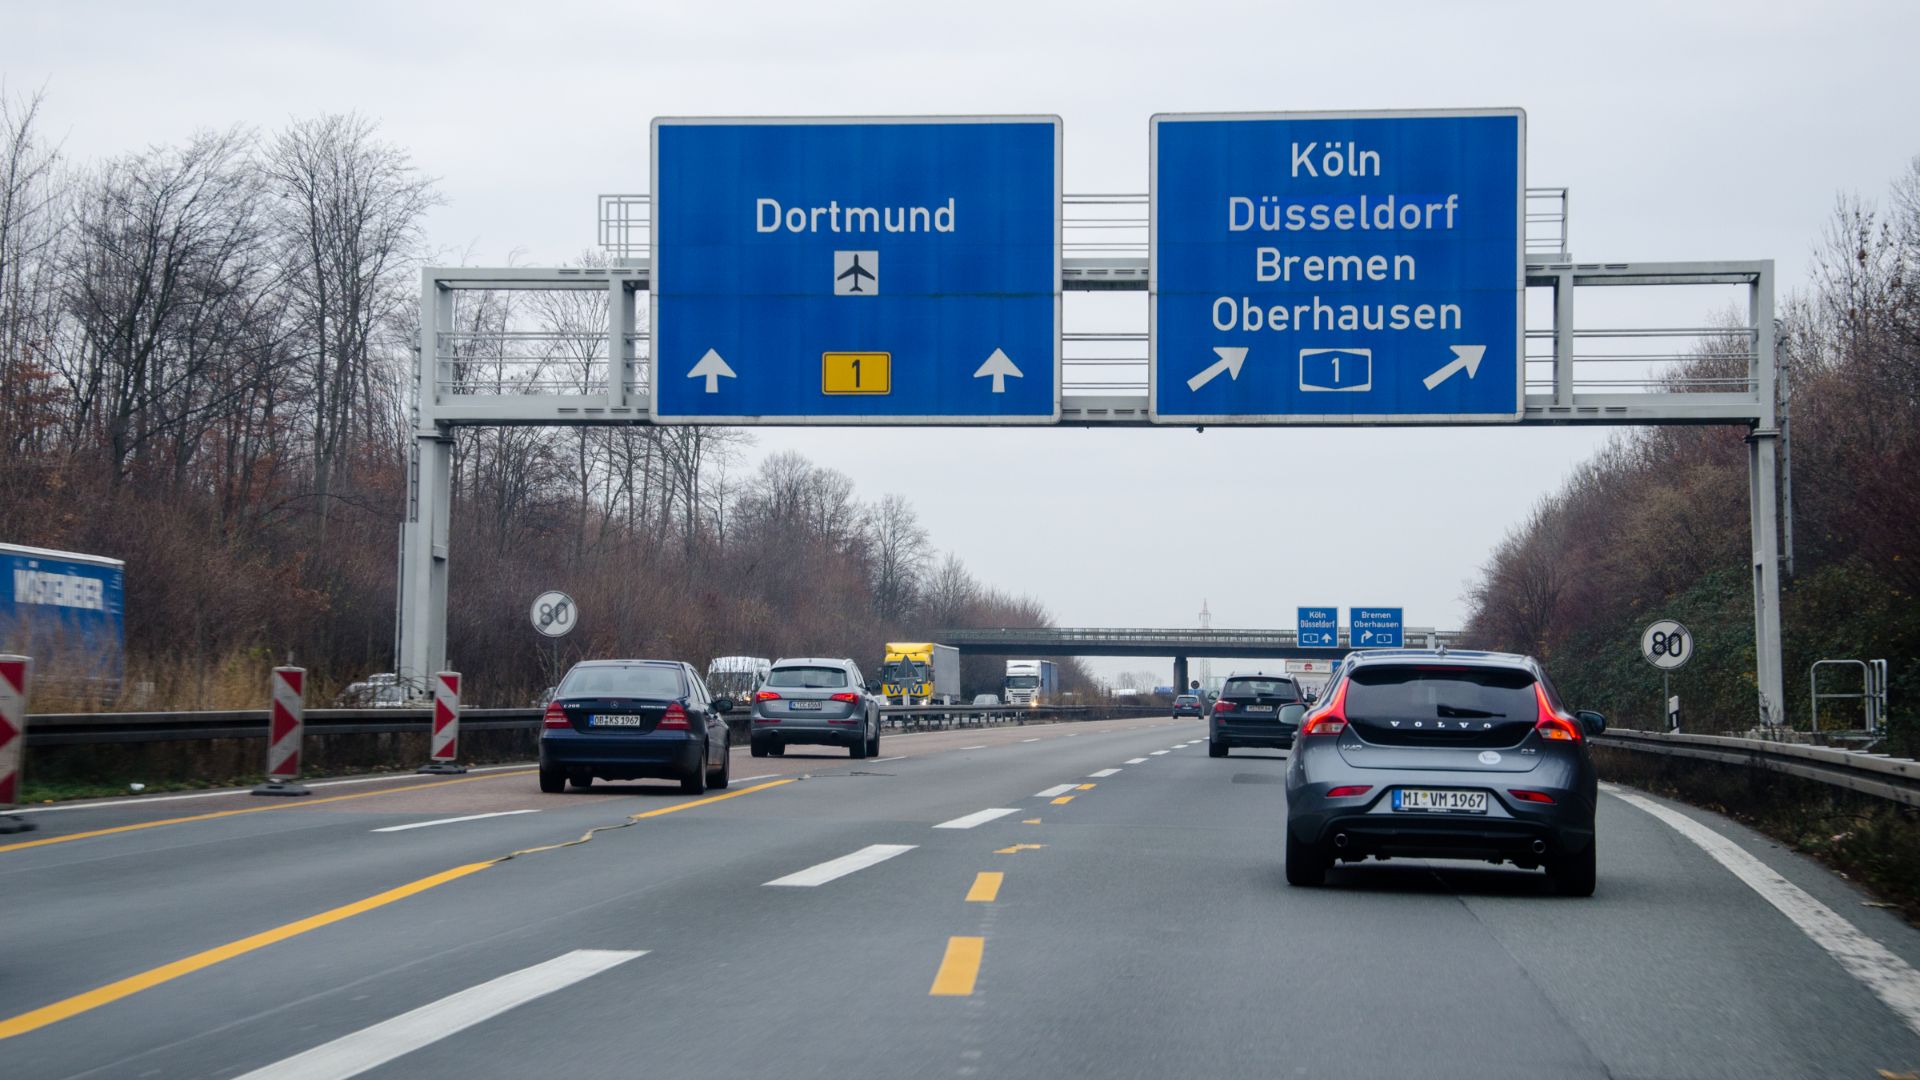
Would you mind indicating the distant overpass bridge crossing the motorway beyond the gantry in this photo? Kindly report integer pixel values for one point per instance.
(1178, 645)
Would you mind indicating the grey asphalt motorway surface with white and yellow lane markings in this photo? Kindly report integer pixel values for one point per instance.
(1068, 900)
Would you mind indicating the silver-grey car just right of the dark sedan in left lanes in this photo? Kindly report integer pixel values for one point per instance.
(811, 700)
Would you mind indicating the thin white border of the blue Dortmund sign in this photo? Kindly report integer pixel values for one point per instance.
(656, 268)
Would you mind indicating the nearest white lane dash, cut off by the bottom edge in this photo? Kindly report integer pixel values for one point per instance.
(372, 1048)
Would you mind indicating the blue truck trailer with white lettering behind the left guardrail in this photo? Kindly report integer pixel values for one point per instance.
(70, 614)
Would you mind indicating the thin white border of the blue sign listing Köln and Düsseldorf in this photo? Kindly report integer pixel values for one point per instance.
(1330, 420)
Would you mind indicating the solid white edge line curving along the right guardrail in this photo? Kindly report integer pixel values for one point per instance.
(1892, 979)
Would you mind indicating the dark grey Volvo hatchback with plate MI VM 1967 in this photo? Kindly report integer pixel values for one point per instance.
(1443, 756)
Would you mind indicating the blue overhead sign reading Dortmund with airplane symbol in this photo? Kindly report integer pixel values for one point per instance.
(857, 270)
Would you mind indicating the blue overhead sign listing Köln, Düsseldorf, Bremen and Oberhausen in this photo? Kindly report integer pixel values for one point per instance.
(1339, 268)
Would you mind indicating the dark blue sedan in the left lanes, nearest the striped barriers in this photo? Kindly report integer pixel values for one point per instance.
(629, 720)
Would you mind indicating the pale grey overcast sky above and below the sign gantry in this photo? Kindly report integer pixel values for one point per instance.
(1683, 130)
